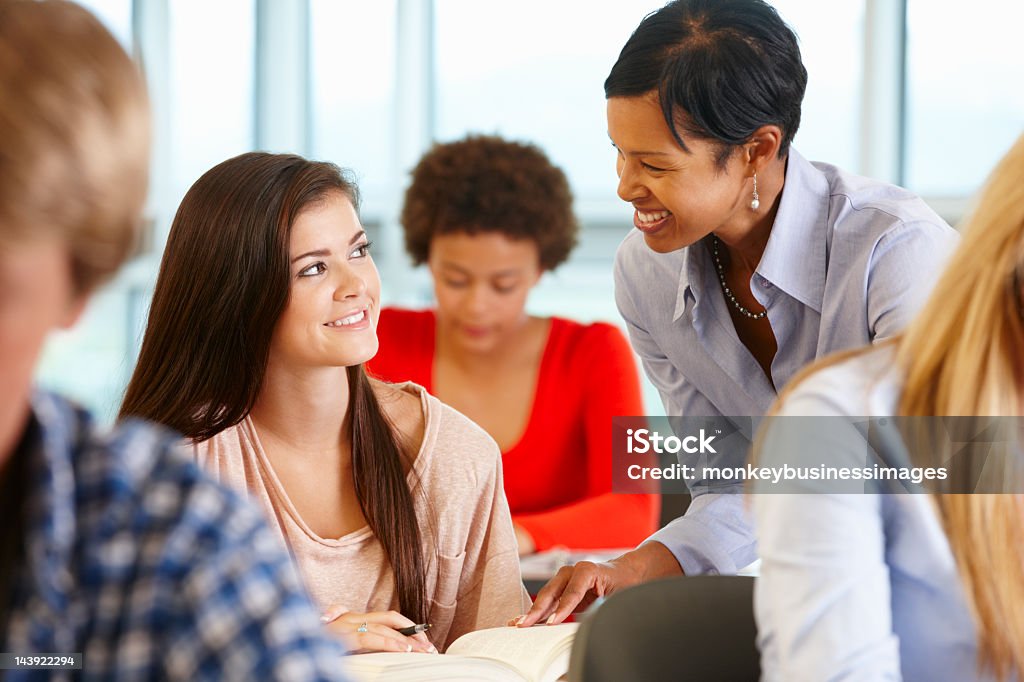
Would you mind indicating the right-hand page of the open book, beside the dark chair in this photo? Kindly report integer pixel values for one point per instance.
(542, 653)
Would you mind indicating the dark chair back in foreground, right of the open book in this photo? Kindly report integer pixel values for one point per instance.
(699, 628)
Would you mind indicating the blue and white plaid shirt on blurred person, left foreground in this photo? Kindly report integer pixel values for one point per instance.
(149, 569)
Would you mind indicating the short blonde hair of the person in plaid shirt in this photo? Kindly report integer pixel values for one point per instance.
(75, 125)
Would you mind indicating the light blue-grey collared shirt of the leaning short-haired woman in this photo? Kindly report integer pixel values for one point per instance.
(849, 262)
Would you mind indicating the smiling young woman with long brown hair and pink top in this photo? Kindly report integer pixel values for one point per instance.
(264, 314)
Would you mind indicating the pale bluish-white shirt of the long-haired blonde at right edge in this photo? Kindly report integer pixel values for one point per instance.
(857, 586)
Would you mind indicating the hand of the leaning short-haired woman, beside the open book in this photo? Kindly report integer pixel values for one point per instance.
(575, 588)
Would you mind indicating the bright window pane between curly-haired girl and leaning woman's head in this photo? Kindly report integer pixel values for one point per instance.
(540, 78)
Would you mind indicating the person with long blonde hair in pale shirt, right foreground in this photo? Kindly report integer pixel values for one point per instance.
(917, 587)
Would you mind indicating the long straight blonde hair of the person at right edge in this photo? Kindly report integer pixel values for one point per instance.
(962, 357)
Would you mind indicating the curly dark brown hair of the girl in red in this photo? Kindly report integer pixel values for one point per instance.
(485, 184)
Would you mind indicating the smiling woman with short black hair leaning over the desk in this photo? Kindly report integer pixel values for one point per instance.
(748, 262)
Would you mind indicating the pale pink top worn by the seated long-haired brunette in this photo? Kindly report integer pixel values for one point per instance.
(474, 576)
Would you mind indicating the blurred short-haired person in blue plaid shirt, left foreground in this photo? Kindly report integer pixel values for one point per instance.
(114, 545)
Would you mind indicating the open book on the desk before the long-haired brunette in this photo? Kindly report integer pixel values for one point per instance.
(540, 654)
